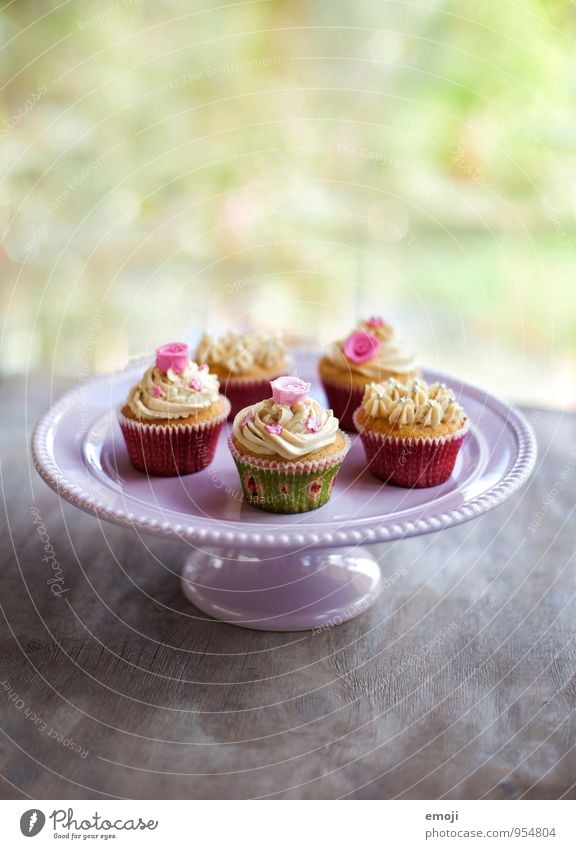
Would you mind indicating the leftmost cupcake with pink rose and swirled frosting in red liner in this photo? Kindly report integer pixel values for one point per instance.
(173, 415)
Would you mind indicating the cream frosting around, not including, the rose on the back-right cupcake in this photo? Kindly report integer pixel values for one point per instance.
(391, 356)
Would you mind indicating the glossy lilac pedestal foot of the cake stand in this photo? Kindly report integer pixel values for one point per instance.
(310, 589)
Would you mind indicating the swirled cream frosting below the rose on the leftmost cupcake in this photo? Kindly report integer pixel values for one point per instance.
(171, 394)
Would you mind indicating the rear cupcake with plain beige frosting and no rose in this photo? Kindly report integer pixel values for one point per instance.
(245, 364)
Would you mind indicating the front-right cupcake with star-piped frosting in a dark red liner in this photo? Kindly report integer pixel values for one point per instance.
(411, 432)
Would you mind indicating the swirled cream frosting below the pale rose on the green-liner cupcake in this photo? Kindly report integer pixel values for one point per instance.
(270, 428)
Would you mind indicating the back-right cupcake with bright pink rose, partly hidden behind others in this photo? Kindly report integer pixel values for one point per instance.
(371, 353)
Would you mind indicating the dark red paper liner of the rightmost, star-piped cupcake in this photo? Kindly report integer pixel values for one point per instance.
(412, 463)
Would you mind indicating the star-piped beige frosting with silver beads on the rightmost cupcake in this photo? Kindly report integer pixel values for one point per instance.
(412, 403)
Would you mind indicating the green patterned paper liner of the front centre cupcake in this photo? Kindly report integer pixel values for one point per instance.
(289, 487)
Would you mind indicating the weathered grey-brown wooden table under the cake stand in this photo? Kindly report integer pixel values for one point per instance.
(459, 683)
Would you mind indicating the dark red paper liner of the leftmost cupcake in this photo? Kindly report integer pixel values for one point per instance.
(169, 450)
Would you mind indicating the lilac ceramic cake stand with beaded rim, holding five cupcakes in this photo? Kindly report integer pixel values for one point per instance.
(256, 569)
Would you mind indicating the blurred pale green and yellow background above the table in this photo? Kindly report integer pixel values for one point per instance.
(169, 167)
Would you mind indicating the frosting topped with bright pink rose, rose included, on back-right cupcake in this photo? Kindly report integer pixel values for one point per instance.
(372, 350)
